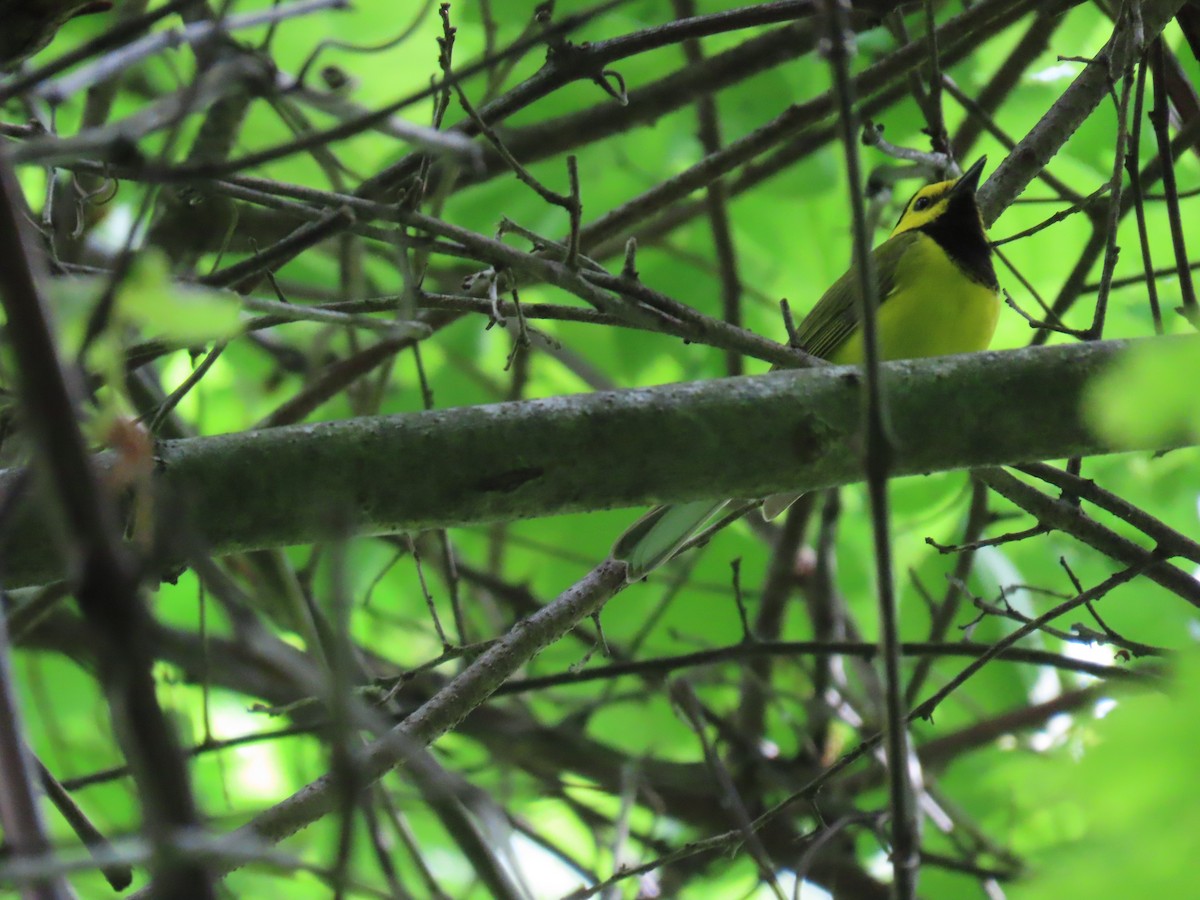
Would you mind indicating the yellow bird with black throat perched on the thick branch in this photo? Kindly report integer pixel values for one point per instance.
(938, 296)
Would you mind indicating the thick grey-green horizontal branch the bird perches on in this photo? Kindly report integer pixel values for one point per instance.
(731, 437)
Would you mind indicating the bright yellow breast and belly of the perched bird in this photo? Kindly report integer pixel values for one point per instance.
(934, 310)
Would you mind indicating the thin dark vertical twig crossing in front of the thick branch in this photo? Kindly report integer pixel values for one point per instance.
(905, 851)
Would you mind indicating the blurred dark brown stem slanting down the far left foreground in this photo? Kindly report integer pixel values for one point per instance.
(107, 585)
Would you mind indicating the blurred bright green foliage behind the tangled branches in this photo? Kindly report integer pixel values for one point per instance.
(1096, 808)
